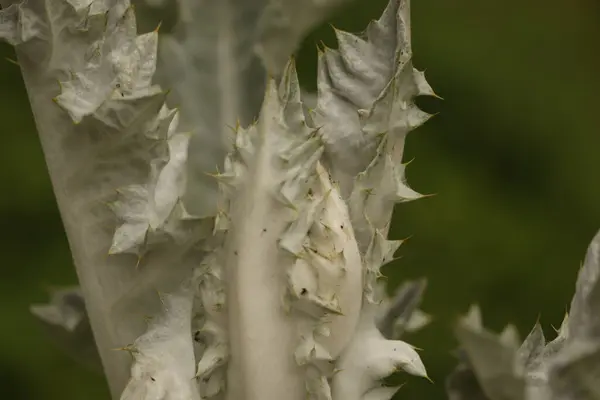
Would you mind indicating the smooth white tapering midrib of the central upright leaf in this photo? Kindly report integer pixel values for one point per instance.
(262, 337)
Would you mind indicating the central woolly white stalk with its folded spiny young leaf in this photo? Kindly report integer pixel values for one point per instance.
(277, 236)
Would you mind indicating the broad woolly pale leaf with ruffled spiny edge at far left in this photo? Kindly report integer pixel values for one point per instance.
(109, 144)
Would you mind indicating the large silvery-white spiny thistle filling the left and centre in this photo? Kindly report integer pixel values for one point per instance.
(264, 238)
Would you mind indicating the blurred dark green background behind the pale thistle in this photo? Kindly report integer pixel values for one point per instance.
(512, 157)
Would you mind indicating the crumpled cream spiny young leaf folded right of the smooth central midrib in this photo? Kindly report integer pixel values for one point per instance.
(322, 269)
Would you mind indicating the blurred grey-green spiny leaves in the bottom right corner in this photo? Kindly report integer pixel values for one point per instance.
(566, 368)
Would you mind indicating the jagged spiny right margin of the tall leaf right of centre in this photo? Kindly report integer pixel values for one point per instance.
(383, 184)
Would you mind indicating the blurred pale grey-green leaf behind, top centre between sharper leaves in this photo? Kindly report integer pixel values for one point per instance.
(213, 58)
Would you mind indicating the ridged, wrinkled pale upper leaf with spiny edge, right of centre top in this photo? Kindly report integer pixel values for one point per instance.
(367, 88)
